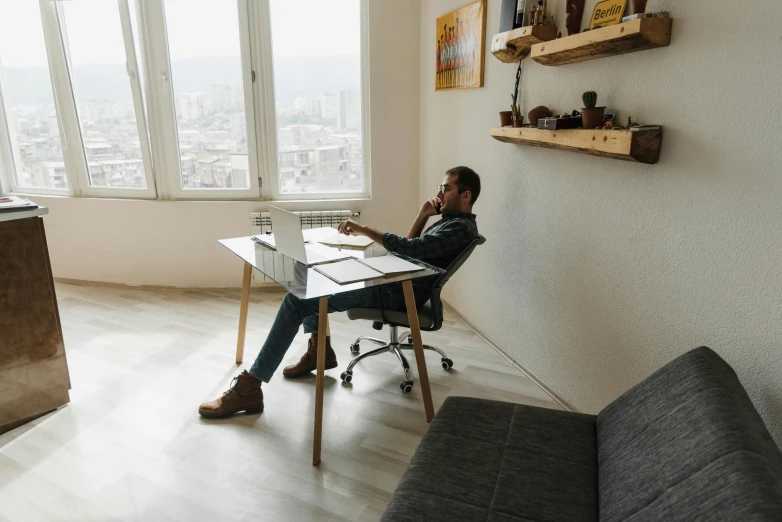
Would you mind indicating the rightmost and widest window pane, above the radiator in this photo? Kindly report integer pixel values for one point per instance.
(318, 95)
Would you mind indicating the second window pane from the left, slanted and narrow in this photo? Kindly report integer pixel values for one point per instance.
(103, 96)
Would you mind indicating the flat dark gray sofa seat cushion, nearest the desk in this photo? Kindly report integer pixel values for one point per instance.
(500, 462)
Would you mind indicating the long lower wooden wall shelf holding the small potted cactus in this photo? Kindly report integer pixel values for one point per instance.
(640, 144)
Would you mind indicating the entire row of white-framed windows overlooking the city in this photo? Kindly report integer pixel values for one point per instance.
(184, 99)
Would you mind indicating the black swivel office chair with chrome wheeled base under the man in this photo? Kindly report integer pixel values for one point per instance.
(430, 318)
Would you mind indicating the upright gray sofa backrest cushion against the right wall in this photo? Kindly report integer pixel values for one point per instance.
(687, 444)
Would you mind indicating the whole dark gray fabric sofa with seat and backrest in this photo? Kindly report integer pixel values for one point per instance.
(685, 444)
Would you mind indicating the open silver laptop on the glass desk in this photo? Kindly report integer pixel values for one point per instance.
(289, 240)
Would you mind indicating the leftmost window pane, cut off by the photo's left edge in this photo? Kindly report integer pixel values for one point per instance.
(27, 93)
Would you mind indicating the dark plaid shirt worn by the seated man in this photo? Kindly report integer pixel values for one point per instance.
(441, 243)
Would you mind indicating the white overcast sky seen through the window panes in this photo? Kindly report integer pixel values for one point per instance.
(197, 28)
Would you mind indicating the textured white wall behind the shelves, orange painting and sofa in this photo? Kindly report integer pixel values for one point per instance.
(597, 272)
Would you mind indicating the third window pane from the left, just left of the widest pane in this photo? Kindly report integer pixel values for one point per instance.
(206, 69)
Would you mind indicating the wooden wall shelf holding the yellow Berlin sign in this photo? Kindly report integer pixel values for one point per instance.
(629, 37)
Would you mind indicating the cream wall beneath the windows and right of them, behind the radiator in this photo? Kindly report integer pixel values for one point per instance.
(175, 243)
